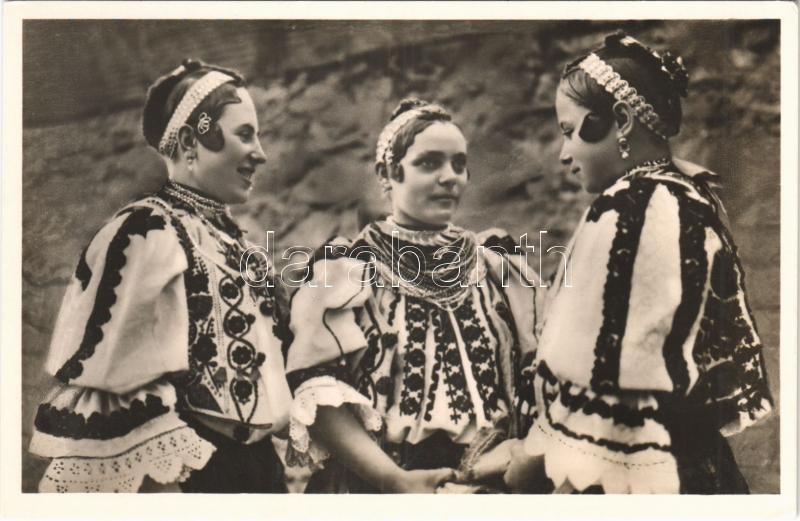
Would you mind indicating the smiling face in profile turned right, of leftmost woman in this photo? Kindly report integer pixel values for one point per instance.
(228, 174)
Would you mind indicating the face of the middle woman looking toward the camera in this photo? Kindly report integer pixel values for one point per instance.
(434, 178)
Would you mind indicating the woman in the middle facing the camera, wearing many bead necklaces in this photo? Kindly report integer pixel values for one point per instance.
(409, 340)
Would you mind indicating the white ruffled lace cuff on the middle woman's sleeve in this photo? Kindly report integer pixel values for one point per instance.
(327, 391)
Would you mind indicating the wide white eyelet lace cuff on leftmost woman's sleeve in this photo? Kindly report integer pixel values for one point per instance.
(167, 458)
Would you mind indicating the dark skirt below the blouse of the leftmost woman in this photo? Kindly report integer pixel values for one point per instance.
(235, 467)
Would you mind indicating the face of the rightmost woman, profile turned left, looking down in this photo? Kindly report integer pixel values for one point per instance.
(597, 163)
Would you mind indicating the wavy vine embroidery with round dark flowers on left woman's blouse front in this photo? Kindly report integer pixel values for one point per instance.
(242, 355)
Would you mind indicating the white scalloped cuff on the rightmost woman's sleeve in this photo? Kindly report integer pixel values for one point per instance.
(579, 464)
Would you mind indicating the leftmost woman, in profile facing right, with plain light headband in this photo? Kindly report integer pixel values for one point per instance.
(167, 346)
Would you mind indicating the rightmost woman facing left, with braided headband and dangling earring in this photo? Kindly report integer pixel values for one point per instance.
(650, 355)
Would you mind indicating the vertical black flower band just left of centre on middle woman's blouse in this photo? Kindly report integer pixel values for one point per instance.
(414, 367)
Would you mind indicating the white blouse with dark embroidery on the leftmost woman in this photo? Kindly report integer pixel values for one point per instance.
(156, 324)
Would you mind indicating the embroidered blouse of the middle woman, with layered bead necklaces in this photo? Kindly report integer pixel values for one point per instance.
(411, 357)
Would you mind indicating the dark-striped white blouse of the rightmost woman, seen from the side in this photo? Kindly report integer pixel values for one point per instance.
(648, 349)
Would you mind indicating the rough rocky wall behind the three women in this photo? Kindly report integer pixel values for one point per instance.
(324, 91)
